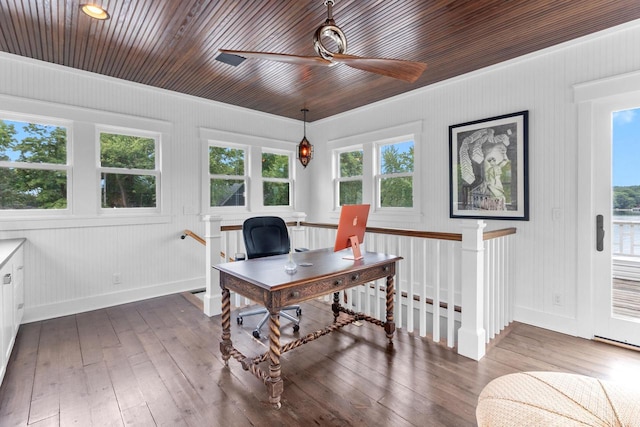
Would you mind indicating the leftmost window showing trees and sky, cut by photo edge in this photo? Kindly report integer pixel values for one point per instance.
(34, 170)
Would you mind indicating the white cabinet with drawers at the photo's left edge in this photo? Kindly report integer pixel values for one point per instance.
(11, 297)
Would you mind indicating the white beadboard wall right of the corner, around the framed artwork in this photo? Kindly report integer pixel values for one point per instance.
(541, 83)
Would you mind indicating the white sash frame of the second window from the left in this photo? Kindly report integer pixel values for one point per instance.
(156, 172)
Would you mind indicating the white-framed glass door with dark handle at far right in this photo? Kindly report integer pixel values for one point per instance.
(616, 188)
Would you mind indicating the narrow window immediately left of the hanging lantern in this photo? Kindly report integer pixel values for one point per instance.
(276, 184)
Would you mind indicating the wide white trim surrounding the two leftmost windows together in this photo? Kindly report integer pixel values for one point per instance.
(82, 202)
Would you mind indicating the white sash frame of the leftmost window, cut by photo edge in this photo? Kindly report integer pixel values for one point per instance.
(67, 167)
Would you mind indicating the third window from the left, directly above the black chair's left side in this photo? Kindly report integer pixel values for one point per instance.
(227, 176)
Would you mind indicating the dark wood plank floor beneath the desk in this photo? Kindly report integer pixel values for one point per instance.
(157, 362)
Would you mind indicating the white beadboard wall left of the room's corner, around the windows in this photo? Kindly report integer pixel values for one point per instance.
(70, 262)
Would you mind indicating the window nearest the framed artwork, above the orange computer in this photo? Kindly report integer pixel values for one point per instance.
(394, 177)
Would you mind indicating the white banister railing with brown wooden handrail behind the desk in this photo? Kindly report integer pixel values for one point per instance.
(453, 286)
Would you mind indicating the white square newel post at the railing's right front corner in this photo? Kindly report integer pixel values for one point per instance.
(471, 335)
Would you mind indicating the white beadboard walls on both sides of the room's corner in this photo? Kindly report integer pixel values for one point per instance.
(71, 268)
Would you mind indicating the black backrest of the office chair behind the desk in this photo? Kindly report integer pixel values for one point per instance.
(265, 236)
